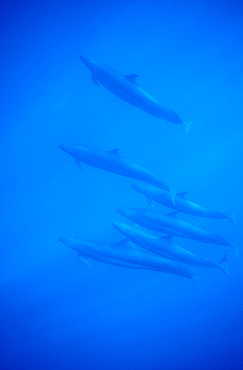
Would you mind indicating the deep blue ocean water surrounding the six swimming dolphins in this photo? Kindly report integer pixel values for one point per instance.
(56, 313)
